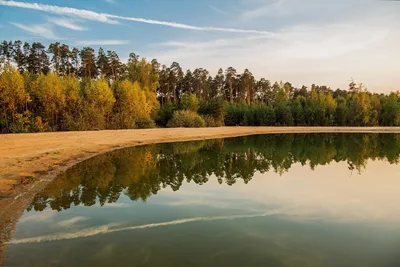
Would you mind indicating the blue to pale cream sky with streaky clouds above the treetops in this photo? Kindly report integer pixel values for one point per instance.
(300, 41)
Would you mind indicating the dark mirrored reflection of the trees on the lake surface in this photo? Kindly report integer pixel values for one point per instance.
(140, 172)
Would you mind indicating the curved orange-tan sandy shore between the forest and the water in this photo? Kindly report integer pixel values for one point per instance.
(29, 161)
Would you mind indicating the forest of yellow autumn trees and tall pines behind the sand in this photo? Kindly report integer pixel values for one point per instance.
(63, 89)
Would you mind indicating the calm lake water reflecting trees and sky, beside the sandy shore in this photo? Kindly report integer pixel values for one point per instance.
(275, 200)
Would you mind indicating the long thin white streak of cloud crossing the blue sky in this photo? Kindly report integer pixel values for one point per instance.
(113, 19)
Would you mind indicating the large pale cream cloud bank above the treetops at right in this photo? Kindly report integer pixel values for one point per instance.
(327, 54)
